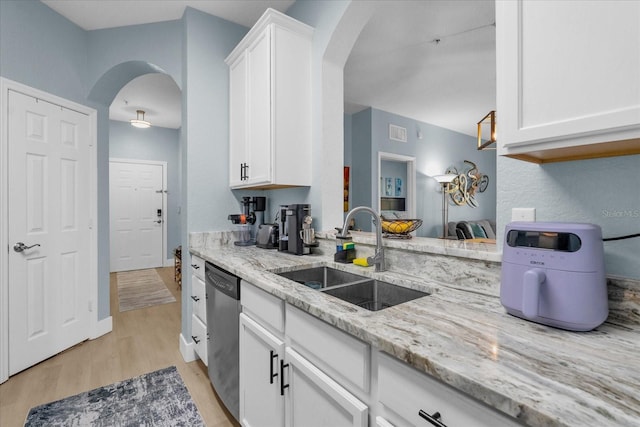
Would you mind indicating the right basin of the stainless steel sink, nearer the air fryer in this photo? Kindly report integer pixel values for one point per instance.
(375, 295)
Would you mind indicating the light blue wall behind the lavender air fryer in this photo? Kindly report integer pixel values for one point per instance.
(599, 191)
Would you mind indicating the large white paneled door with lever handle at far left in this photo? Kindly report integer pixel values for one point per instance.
(49, 234)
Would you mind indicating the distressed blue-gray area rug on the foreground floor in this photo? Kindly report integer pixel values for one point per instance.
(159, 398)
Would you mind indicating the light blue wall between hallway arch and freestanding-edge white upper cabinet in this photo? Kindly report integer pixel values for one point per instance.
(206, 197)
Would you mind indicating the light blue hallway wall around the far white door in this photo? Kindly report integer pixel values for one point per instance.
(157, 144)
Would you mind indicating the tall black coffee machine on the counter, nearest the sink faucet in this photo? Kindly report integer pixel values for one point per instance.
(297, 223)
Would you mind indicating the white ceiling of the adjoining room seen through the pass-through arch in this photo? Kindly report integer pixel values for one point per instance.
(398, 65)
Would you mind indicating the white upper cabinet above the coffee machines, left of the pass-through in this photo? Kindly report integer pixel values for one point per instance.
(270, 105)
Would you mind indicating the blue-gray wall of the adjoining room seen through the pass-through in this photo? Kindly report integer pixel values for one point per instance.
(438, 149)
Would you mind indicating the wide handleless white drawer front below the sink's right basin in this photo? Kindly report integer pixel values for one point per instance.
(332, 350)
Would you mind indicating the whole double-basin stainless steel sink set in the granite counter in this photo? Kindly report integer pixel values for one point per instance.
(365, 292)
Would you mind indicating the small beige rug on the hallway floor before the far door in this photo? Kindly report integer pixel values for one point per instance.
(141, 288)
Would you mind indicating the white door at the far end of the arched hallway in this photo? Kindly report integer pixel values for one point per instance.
(135, 200)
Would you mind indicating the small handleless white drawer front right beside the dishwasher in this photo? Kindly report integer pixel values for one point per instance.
(262, 307)
